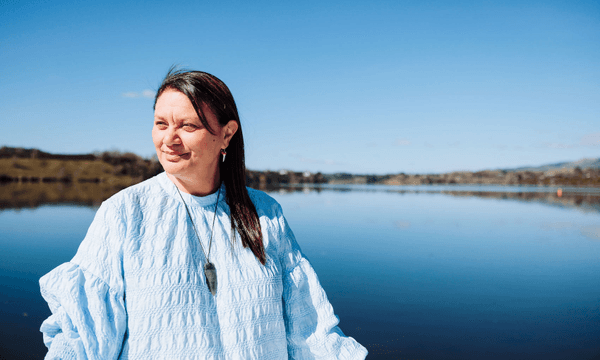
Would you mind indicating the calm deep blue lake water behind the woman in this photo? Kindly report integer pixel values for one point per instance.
(411, 275)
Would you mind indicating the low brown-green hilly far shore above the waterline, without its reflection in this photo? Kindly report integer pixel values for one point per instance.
(119, 170)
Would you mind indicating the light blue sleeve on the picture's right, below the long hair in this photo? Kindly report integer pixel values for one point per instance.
(311, 325)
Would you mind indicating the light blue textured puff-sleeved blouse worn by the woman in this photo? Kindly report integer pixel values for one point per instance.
(136, 287)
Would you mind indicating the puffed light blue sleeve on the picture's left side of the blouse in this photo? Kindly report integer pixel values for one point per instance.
(85, 295)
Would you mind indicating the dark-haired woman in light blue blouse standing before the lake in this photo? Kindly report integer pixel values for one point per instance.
(191, 264)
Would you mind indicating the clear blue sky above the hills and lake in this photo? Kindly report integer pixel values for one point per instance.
(361, 87)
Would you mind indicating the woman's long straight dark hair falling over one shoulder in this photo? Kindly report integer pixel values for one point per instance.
(203, 88)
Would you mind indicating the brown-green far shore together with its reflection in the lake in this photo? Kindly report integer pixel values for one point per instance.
(30, 178)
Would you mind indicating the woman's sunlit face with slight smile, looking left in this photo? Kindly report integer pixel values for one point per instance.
(185, 148)
